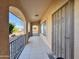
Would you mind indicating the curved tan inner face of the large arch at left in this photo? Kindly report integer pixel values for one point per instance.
(18, 13)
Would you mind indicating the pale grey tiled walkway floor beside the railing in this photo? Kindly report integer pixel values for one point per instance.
(35, 49)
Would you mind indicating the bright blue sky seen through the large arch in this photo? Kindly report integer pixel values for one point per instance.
(15, 20)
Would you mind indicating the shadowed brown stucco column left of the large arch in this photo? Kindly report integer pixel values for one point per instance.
(4, 34)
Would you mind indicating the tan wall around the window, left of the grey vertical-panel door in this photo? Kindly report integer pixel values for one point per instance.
(56, 4)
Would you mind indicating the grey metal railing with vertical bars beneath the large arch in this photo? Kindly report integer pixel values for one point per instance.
(17, 46)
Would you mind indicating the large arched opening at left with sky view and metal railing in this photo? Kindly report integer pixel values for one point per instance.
(17, 32)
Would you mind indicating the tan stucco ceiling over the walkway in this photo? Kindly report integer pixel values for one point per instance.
(34, 7)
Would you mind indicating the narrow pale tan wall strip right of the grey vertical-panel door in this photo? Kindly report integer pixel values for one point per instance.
(76, 30)
